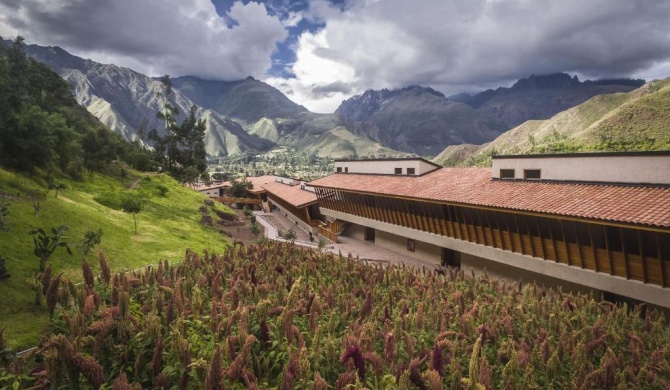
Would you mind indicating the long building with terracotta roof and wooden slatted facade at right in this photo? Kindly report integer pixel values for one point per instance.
(593, 222)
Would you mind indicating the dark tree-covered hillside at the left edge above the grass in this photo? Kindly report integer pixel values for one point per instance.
(43, 129)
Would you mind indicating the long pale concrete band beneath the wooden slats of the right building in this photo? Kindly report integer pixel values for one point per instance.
(653, 294)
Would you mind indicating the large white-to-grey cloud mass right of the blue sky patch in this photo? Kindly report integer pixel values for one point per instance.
(455, 45)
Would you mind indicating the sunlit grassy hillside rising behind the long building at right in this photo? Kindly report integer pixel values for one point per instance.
(633, 121)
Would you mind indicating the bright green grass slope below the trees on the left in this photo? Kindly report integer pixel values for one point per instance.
(168, 224)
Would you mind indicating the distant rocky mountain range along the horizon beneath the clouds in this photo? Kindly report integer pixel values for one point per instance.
(251, 116)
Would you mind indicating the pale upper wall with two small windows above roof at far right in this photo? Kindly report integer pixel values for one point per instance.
(616, 169)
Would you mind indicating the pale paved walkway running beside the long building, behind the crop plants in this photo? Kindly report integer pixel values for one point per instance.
(275, 222)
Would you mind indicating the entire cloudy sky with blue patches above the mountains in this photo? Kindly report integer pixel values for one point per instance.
(320, 52)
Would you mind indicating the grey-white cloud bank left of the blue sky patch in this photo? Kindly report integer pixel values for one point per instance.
(153, 36)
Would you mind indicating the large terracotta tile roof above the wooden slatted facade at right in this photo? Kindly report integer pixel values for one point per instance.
(474, 186)
